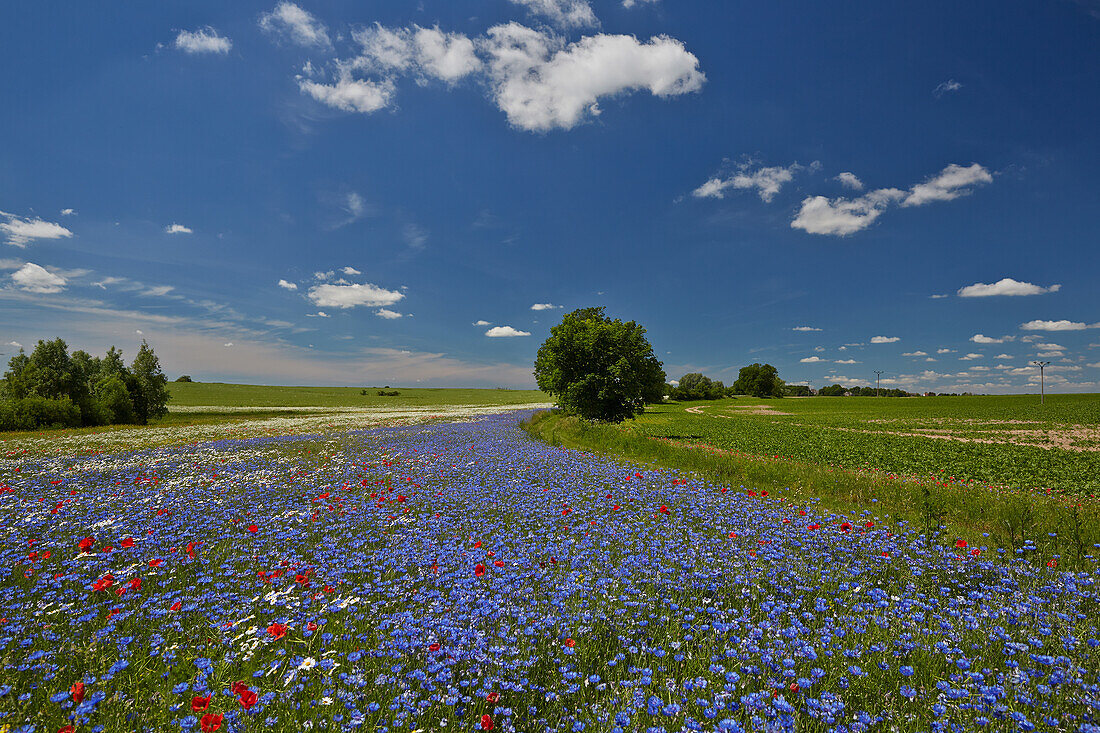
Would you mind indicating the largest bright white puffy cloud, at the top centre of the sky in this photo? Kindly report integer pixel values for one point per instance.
(542, 84)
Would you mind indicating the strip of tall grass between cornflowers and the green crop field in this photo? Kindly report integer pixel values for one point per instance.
(1050, 529)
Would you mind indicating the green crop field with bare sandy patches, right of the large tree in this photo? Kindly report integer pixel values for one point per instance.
(1004, 441)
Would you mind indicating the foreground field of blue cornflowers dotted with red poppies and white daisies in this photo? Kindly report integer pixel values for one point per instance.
(458, 576)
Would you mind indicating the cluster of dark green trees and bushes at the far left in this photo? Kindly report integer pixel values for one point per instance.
(51, 388)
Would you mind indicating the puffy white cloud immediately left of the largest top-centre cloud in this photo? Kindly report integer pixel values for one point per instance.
(426, 52)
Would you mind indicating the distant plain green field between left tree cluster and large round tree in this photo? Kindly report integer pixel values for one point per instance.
(216, 395)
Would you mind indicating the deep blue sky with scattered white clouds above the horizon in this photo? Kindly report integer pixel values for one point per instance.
(399, 193)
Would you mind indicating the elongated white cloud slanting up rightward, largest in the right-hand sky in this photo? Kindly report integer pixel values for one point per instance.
(820, 215)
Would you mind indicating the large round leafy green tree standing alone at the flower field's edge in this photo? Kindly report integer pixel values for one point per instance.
(599, 368)
